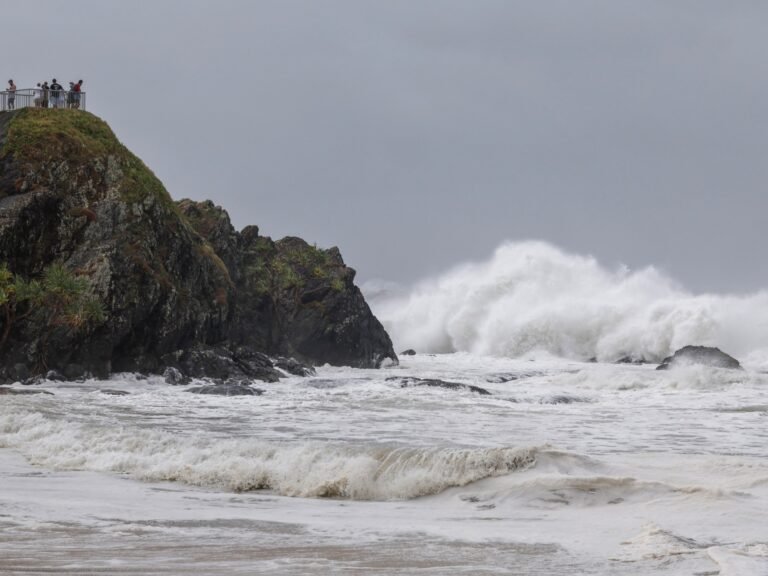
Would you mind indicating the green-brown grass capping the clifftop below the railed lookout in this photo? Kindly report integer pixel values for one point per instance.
(36, 136)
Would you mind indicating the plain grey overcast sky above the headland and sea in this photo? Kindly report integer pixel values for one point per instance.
(416, 134)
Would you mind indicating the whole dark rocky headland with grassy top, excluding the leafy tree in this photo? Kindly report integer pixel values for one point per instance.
(170, 276)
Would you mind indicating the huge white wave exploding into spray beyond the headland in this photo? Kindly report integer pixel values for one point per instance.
(531, 296)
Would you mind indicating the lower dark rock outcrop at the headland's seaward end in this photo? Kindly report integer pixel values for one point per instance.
(291, 298)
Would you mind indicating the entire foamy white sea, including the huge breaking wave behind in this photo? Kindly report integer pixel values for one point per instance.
(572, 464)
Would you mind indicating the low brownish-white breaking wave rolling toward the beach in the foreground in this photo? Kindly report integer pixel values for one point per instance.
(307, 469)
